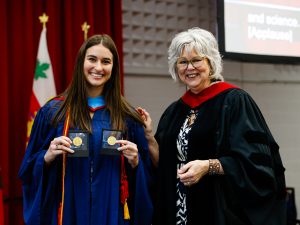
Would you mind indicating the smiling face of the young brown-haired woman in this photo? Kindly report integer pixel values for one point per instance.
(97, 68)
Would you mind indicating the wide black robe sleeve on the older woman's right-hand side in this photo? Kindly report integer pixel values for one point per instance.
(253, 186)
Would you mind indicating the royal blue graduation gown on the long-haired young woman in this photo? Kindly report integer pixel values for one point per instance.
(92, 184)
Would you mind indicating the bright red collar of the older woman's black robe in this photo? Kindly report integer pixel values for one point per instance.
(194, 100)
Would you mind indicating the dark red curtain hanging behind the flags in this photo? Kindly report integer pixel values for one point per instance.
(20, 31)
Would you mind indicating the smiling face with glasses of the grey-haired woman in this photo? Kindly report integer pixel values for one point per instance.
(196, 78)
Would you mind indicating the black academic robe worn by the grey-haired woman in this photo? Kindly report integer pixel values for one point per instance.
(231, 128)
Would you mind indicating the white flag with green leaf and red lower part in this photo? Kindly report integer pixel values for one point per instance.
(43, 81)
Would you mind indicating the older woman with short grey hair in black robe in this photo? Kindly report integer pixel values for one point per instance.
(218, 163)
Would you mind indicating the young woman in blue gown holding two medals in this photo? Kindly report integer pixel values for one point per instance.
(97, 188)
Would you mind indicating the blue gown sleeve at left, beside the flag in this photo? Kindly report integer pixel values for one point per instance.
(32, 170)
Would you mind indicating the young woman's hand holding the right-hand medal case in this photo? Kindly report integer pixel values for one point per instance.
(130, 151)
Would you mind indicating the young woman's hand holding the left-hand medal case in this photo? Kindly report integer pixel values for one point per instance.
(57, 147)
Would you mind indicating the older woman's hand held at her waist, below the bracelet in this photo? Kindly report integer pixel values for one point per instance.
(193, 171)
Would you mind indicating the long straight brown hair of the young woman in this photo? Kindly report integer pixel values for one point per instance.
(75, 96)
